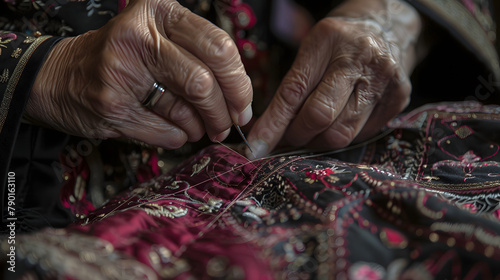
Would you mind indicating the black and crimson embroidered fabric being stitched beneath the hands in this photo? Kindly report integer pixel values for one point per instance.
(422, 202)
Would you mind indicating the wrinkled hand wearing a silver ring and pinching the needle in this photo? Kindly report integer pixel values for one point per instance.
(93, 85)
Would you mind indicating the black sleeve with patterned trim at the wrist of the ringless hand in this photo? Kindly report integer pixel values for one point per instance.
(462, 63)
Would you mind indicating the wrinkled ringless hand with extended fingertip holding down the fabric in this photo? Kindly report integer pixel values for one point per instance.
(349, 78)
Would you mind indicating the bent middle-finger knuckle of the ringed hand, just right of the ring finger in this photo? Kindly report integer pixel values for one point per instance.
(199, 85)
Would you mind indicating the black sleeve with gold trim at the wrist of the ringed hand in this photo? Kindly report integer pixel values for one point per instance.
(27, 150)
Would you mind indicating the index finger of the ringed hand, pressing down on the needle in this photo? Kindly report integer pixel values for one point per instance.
(215, 48)
